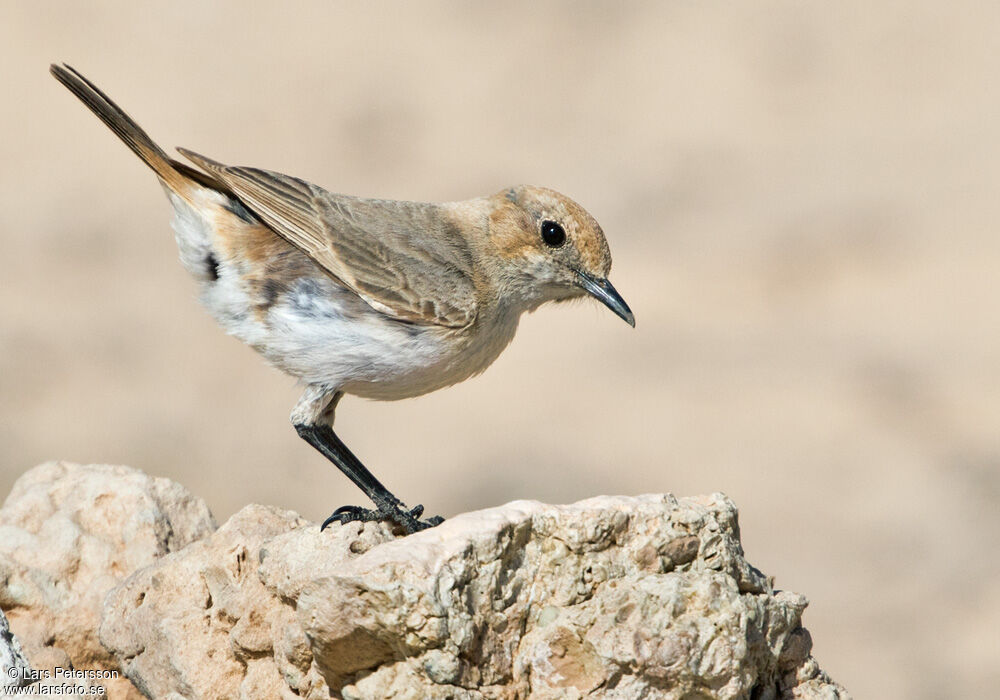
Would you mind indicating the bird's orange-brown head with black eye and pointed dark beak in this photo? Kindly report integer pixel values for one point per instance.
(548, 248)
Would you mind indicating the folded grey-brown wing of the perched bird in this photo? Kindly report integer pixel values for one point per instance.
(406, 259)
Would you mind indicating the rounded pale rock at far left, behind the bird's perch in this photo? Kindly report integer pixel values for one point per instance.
(68, 535)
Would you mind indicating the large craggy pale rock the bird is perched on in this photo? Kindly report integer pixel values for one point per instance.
(611, 597)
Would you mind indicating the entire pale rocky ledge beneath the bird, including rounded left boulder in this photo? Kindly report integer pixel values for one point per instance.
(106, 569)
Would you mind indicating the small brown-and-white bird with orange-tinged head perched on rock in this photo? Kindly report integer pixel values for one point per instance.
(375, 298)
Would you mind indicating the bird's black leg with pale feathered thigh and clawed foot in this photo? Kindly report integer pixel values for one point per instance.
(312, 417)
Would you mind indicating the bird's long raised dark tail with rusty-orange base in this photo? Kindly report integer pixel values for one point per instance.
(176, 175)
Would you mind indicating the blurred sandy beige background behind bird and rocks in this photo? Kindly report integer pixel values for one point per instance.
(802, 202)
